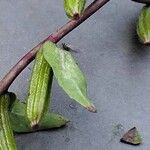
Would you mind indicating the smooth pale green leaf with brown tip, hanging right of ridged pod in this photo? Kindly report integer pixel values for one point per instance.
(68, 74)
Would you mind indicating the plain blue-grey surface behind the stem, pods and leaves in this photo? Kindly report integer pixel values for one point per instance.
(117, 68)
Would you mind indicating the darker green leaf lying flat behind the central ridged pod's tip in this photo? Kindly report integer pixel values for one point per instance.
(21, 124)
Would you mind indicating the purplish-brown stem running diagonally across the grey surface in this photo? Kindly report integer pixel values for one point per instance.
(55, 37)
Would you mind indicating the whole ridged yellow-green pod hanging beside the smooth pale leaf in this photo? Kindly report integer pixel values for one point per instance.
(39, 90)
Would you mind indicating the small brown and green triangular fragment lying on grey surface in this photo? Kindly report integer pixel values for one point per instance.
(132, 137)
